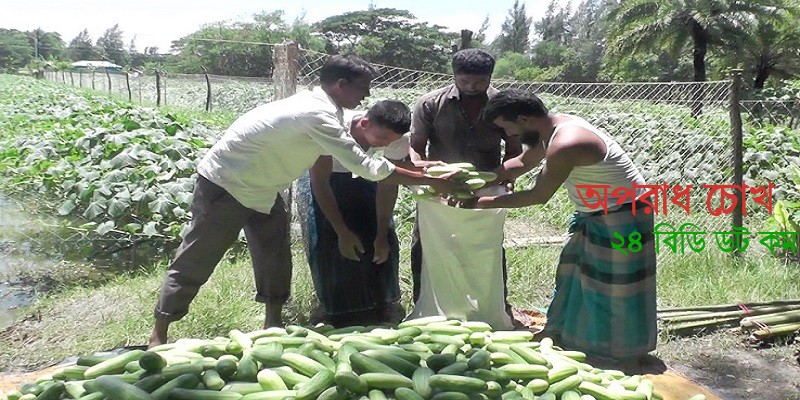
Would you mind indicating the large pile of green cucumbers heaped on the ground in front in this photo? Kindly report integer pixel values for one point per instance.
(429, 358)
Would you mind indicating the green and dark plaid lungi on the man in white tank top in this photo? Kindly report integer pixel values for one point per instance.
(605, 301)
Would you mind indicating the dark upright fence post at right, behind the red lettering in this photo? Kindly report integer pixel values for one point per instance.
(738, 155)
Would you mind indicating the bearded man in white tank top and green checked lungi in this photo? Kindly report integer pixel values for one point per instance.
(605, 299)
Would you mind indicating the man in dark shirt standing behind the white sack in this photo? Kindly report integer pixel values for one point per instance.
(447, 127)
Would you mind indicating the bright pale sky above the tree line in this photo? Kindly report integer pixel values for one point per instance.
(158, 22)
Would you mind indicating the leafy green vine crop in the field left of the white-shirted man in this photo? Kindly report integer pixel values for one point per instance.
(125, 170)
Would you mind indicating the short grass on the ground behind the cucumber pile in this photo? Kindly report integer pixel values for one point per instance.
(81, 319)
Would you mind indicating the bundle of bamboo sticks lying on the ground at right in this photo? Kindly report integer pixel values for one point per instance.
(763, 320)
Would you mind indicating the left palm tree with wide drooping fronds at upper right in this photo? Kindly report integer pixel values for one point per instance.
(645, 25)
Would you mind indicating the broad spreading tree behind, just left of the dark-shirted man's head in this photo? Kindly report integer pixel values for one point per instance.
(389, 36)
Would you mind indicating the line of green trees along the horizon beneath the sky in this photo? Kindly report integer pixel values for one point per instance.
(595, 41)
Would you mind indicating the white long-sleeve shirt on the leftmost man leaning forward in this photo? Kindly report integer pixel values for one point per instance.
(270, 146)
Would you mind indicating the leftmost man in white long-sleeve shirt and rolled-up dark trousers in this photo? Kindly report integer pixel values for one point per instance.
(241, 176)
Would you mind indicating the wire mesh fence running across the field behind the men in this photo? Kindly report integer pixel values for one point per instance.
(681, 135)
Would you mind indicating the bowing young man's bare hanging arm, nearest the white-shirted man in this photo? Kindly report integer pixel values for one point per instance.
(349, 244)
